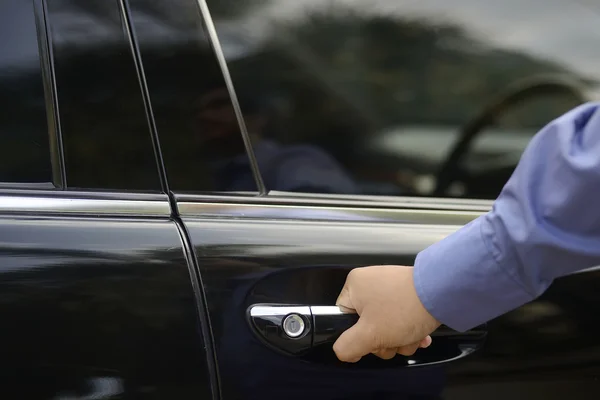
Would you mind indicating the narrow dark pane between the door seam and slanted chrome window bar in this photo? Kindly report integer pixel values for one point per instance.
(200, 139)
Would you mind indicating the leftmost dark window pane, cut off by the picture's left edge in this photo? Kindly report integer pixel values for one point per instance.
(24, 138)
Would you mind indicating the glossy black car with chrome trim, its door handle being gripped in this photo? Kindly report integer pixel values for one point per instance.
(185, 184)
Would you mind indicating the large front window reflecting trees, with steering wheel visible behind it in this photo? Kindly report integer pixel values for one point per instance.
(373, 97)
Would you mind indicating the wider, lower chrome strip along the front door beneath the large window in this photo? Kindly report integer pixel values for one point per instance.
(325, 213)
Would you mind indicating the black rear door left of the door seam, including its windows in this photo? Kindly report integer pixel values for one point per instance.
(97, 298)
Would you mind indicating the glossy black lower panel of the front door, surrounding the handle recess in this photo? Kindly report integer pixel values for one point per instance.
(544, 350)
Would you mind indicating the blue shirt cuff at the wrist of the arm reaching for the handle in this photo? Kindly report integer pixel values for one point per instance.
(461, 284)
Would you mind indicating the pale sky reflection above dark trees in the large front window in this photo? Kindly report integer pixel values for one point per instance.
(565, 31)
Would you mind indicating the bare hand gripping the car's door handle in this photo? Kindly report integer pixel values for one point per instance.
(392, 318)
